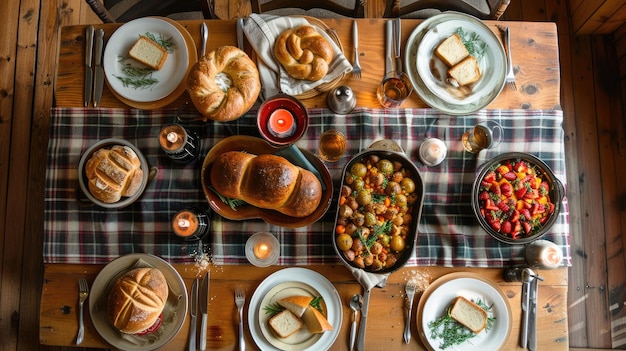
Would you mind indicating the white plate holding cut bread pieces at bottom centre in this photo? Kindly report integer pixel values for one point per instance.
(288, 282)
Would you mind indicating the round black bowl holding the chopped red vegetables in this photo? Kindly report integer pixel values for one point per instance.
(556, 193)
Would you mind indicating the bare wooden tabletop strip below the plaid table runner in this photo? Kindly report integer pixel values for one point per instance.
(385, 319)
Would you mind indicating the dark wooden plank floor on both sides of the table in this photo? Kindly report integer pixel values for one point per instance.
(592, 97)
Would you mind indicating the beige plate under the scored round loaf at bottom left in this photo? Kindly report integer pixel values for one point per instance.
(173, 315)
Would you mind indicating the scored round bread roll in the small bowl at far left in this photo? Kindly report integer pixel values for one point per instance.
(113, 173)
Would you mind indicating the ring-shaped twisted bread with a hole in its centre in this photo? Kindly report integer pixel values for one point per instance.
(224, 84)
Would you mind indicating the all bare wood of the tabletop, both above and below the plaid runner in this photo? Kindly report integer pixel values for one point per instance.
(535, 49)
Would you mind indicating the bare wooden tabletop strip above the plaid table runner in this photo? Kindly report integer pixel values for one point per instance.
(534, 48)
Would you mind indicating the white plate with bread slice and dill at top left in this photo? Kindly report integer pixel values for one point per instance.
(169, 76)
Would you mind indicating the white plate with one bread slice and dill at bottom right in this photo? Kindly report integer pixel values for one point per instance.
(438, 297)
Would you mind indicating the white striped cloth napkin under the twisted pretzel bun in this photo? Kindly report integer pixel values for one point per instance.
(262, 31)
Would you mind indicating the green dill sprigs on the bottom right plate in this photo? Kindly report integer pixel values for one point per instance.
(452, 332)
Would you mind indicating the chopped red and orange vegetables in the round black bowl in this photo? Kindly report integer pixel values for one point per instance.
(514, 199)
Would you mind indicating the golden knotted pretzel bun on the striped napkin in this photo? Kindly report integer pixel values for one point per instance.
(304, 53)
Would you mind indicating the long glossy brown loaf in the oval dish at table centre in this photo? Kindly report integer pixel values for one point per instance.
(266, 181)
